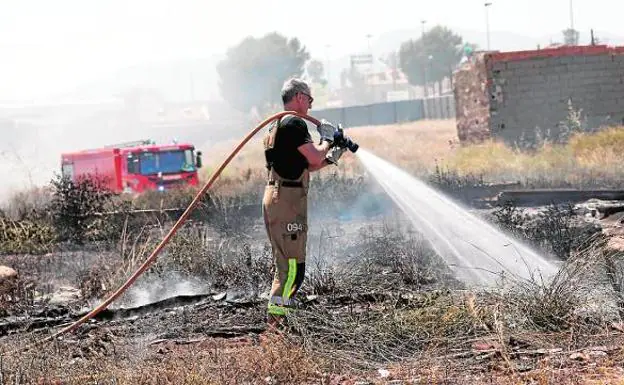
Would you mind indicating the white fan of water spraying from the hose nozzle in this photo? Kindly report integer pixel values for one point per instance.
(478, 252)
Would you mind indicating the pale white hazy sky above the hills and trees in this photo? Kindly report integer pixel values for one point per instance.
(47, 45)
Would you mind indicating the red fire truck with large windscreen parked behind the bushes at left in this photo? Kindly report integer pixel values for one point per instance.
(135, 167)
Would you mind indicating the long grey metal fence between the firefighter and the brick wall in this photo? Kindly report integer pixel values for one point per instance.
(442, 107)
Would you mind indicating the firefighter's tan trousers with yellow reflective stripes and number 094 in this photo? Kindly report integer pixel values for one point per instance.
(285, 207)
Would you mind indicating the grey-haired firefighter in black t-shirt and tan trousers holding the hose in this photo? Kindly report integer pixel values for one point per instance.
(291, 155)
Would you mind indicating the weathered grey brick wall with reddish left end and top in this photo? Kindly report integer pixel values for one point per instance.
(518, 95)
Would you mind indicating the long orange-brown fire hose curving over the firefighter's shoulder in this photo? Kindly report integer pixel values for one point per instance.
(167, 237)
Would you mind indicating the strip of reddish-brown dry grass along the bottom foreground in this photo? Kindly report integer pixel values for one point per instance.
(275, 359)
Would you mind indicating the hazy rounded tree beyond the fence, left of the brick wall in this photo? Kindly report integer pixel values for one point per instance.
(432, 57)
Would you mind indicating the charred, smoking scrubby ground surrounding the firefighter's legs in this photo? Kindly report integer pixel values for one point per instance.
(378, 305)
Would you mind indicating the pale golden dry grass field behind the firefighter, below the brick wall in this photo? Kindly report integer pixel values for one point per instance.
(587, 159)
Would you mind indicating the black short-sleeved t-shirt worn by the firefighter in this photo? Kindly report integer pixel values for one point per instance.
(288, 162)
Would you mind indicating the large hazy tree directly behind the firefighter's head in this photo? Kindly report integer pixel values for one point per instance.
(253, 72)
